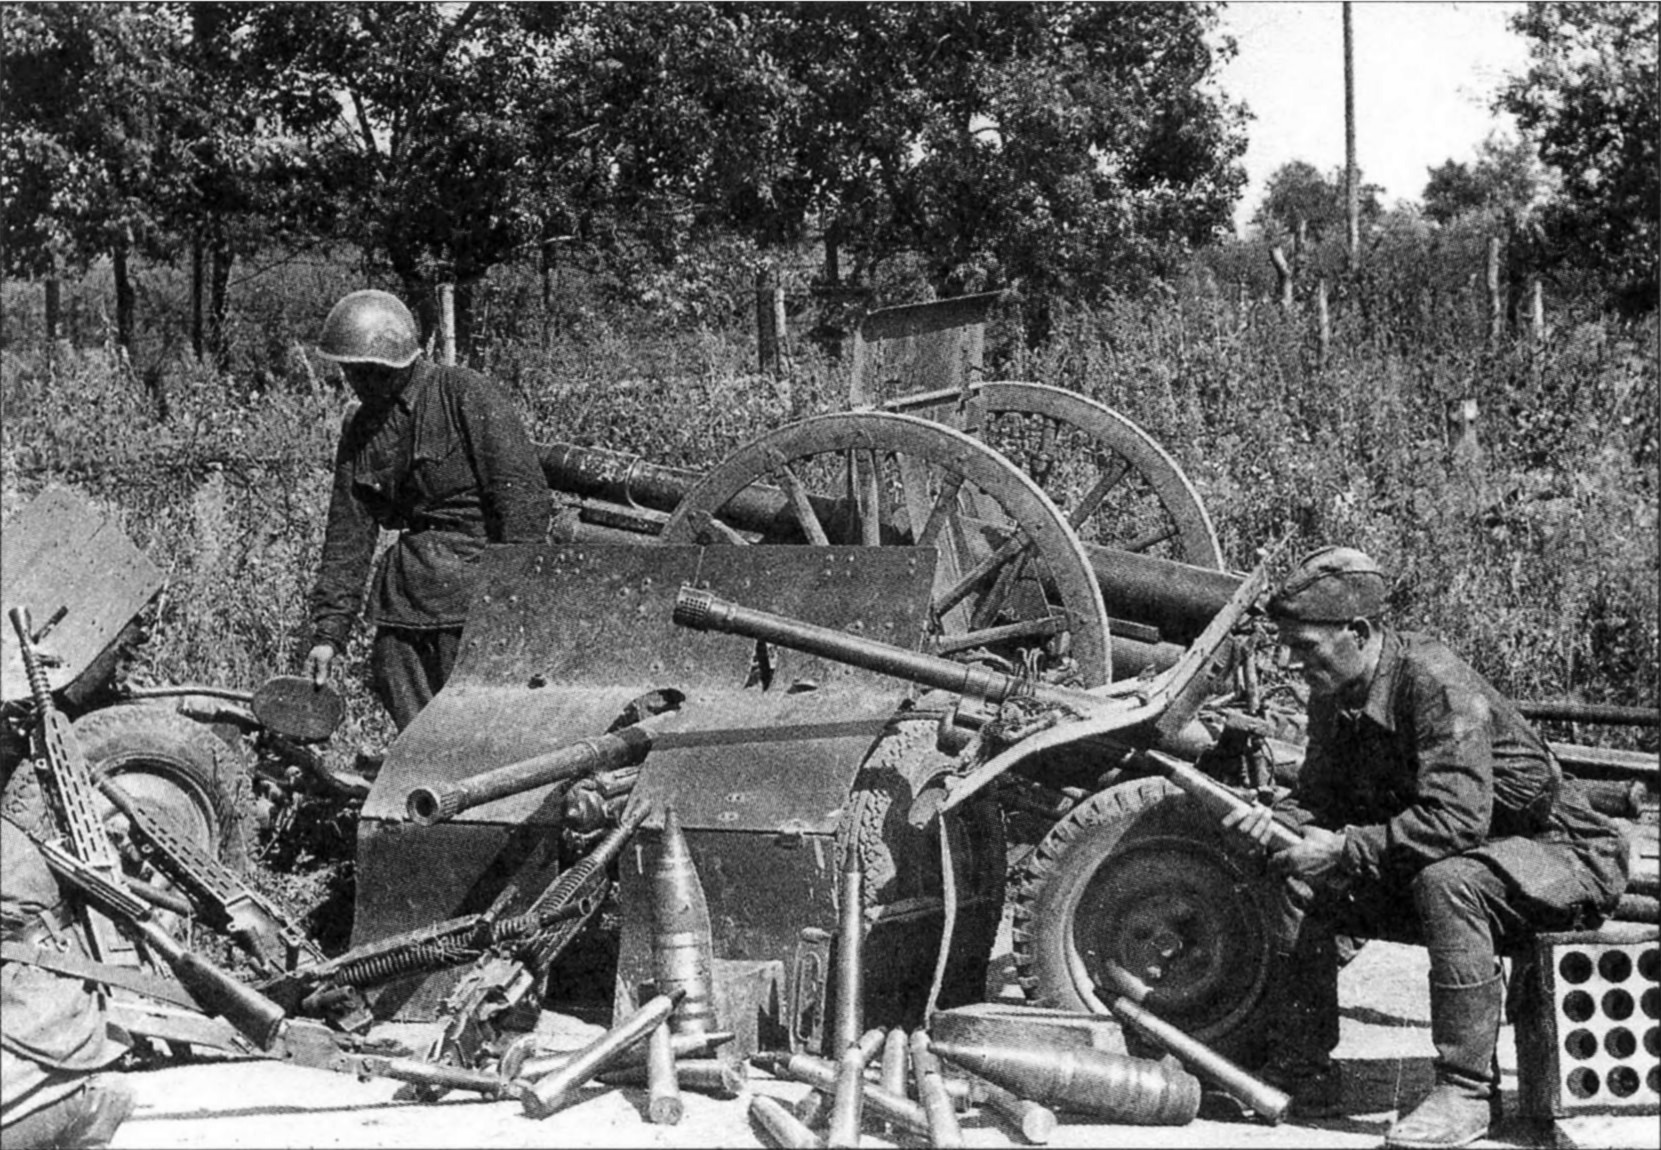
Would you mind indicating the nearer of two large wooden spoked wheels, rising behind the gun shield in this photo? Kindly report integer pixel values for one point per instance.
(1012, 577)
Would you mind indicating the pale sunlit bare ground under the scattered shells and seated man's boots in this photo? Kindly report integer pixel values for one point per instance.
(1386, 1053)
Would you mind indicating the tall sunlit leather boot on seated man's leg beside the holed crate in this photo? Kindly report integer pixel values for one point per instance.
(1464, 1028)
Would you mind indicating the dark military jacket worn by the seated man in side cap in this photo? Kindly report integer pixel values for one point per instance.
(1436, 764)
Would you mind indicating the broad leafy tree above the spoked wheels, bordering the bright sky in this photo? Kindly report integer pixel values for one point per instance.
(1059, 150)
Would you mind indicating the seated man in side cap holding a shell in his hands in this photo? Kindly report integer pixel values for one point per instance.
(1433, 813)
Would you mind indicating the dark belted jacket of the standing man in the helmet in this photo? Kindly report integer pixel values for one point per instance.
(446, 464)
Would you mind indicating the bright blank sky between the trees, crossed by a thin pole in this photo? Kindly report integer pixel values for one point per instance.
(1424, 79)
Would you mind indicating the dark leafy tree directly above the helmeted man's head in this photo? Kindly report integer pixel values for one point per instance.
(424, 124)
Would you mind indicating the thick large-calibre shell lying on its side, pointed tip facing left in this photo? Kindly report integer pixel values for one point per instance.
(1082, 1081)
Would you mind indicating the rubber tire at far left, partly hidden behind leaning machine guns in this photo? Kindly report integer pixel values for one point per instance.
(177, 767)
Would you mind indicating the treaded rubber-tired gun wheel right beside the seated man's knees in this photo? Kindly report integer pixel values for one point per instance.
(1125, 835)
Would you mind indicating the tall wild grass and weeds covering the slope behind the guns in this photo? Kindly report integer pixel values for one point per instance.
(1537, 556)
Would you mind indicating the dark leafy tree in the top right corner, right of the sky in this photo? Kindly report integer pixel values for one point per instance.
(1592, 104)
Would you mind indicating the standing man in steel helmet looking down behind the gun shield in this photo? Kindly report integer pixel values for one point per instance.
(436, 455)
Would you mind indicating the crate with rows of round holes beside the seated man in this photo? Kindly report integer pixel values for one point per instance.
(1587, 1033)
